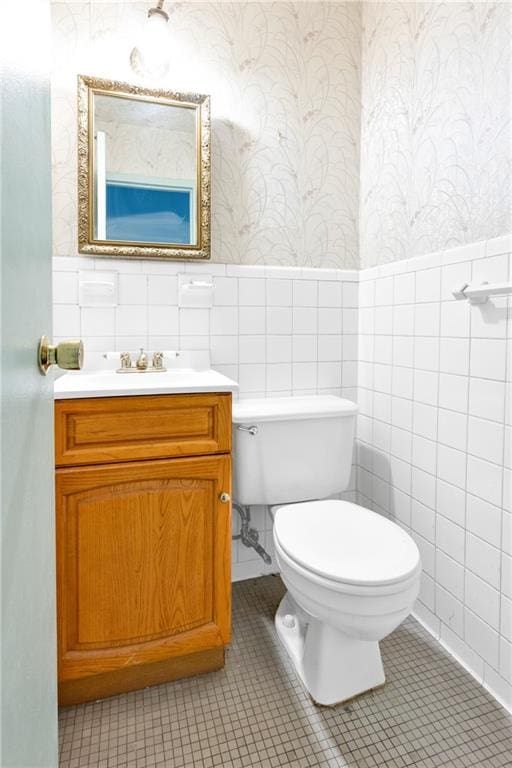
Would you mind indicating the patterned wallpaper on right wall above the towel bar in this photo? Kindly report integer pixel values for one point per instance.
(436, 143)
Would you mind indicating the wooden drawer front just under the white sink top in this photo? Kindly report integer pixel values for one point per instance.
(110, 429)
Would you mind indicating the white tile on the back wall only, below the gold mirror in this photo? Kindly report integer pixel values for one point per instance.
(277, 331)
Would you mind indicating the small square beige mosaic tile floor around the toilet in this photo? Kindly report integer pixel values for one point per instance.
(255, 712)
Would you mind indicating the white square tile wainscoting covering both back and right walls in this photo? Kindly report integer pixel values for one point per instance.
(433, 379)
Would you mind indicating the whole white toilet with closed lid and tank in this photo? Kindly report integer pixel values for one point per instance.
(352, 576)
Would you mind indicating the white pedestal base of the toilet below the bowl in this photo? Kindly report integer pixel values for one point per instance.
(332, 666)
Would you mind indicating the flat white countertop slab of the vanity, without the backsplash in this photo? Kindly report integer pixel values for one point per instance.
(75, 384)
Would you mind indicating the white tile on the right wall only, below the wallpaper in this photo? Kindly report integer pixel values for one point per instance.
(435, 443)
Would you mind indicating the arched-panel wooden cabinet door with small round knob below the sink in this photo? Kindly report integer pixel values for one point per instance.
(143, 565)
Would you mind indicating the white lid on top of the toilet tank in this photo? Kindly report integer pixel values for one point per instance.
(288, 408)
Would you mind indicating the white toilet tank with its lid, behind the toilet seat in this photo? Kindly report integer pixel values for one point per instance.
(290, 449)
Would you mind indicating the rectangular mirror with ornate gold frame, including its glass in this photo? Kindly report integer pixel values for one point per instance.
(143, 171)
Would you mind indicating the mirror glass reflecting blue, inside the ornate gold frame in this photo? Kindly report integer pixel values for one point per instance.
(144, 171)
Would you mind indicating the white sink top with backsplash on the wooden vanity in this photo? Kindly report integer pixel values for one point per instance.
(187, 372)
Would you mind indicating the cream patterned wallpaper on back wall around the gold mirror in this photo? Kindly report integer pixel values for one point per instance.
(285, 85)
